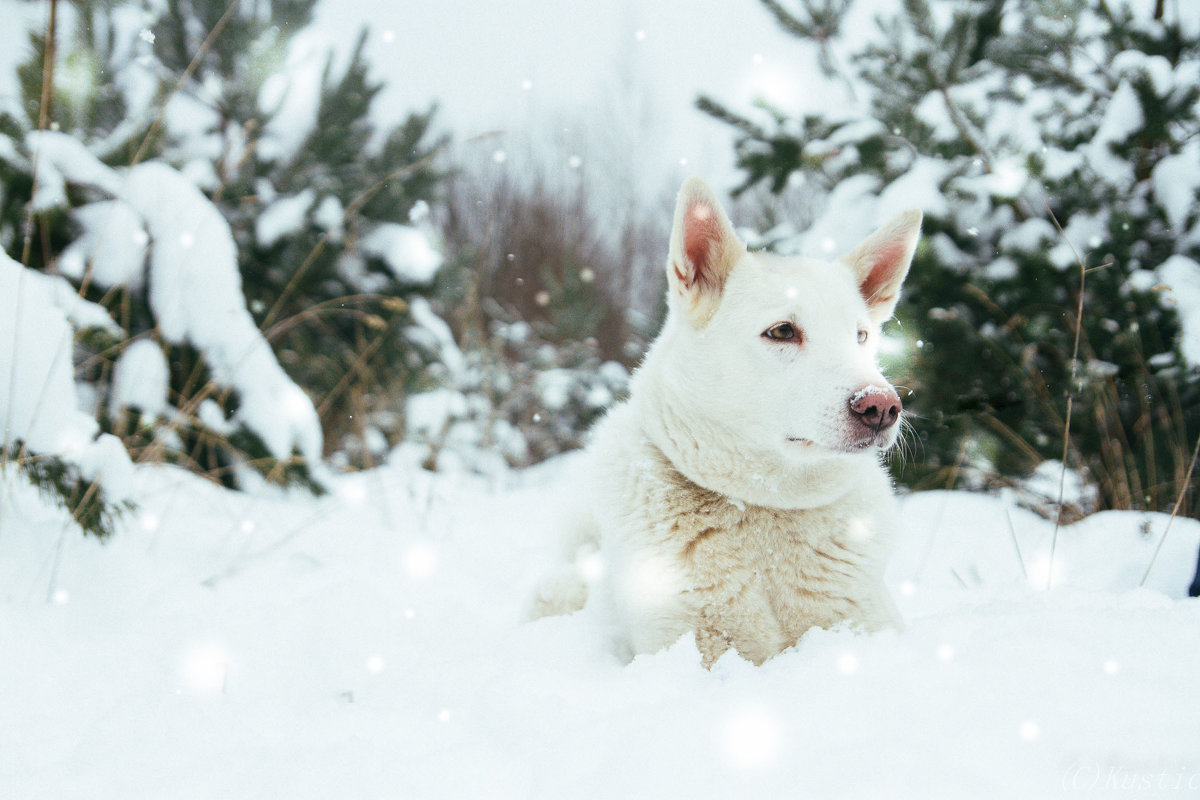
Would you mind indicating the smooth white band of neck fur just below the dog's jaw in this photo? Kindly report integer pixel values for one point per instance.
(712, 455)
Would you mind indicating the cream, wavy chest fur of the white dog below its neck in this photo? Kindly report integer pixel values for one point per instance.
(741, 576)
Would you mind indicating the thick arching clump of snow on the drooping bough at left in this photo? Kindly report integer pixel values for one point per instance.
(195, 284)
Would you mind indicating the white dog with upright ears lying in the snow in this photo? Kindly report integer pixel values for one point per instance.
(739, 495)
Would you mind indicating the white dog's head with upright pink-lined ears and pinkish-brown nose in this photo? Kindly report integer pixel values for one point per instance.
(781, 353)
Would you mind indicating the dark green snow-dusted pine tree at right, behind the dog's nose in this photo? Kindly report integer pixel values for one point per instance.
(1007, 119)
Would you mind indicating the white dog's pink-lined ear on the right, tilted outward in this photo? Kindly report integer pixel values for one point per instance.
(883, 261)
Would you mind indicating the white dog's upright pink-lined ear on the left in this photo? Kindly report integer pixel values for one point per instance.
(704, 252)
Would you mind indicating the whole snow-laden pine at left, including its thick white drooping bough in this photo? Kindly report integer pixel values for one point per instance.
(208, 178)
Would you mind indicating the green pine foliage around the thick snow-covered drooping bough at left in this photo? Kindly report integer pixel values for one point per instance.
(190, 83)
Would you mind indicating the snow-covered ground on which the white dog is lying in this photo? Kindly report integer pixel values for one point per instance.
(371, 645)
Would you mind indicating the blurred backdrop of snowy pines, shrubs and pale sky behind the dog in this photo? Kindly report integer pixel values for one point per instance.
(451, 219)
